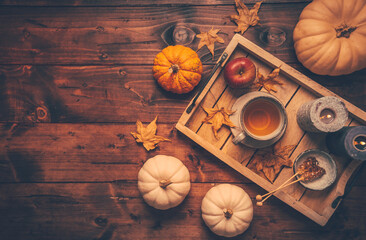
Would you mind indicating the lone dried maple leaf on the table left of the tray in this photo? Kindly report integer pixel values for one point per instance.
(146, 135)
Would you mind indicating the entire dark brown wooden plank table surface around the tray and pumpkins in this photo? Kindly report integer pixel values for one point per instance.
(74, 78)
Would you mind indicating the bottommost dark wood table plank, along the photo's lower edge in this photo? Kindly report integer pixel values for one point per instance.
(117, 211)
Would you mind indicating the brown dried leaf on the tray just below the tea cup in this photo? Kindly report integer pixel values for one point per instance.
(270, 161)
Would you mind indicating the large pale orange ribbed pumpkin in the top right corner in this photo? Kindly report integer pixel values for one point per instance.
(330, 37)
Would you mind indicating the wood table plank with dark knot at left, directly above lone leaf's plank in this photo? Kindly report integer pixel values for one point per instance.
(112, 93)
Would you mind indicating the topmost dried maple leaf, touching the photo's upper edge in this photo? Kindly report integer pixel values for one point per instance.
(246, 17)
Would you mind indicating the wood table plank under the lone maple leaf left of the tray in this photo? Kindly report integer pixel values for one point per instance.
(96, 153)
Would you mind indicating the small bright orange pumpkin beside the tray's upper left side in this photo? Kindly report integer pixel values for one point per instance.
(177, 69)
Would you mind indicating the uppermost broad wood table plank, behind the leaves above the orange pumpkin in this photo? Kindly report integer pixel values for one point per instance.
(106, 35)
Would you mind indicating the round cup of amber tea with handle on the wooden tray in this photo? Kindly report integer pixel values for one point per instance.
(262, 118)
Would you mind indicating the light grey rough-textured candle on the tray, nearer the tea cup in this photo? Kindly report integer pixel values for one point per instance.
(326, 114)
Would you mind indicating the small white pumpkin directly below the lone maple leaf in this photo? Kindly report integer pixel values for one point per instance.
(163, 182)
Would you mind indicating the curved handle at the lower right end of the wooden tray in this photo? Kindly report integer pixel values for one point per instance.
(348, 177)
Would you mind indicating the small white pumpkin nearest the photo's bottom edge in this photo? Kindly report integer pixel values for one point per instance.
(227, 210)
